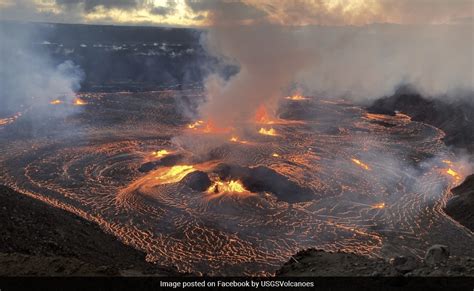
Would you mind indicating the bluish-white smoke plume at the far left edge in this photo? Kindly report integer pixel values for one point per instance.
(29, 76)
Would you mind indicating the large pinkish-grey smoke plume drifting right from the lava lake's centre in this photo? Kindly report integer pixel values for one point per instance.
(358, 62)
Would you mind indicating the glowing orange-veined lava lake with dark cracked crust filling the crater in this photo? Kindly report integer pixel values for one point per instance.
(373, 185)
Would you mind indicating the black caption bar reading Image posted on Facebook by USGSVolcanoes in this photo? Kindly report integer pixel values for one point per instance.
(219, 283)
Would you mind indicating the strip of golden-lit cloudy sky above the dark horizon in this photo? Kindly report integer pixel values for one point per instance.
(206, 12)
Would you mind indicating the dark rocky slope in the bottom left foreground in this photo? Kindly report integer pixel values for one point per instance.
(40, 240)
